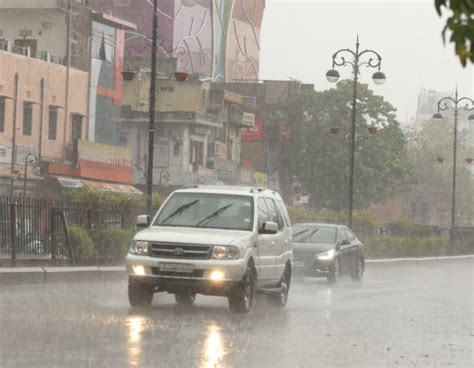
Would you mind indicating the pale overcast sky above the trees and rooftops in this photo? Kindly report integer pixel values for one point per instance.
(299, 38)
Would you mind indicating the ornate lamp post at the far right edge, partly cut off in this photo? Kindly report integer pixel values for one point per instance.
(456, 105)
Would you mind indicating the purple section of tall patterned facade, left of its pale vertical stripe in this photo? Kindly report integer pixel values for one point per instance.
(184, 30)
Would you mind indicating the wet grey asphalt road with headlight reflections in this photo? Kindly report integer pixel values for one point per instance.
(403, 315)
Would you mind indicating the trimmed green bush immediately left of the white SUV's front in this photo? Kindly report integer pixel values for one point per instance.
(111, 244)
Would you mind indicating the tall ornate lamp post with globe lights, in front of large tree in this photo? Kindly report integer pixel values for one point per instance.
(355, 59)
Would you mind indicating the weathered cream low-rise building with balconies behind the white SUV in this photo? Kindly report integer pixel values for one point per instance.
(198, 128)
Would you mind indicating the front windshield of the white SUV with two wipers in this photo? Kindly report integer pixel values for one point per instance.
(207, 210)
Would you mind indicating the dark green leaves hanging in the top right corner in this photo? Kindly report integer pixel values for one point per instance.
(461, 25)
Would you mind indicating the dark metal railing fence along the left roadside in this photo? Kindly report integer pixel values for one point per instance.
(32, 228)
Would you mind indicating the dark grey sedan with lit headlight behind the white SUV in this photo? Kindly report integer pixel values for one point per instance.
(327, 250)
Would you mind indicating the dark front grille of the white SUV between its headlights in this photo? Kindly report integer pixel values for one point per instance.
(180, 251)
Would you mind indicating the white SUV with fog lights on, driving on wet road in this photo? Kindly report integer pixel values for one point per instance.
(226, 241)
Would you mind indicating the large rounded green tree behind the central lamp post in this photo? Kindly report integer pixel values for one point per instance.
(320, 160)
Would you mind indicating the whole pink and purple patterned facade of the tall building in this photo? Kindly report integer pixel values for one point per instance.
(215, 38)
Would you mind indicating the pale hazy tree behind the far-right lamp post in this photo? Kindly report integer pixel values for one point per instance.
(430, 149)
